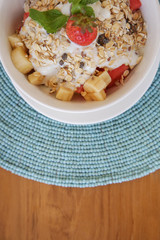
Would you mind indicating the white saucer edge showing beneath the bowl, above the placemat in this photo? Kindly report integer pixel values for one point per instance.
(92, 117)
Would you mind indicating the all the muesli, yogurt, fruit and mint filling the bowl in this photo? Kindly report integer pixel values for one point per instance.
(79, 46)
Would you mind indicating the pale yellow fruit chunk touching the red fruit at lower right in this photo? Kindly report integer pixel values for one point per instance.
(96, 84)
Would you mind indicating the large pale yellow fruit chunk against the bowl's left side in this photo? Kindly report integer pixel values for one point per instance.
(20, 60)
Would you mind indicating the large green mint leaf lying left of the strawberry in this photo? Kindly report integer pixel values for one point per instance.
(52, 20)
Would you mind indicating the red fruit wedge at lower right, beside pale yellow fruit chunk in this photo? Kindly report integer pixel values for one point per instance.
(116, 74)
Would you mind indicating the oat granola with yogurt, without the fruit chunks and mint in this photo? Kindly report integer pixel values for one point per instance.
(121, 39)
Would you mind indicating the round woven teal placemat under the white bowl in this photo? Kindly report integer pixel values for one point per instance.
(38, 148)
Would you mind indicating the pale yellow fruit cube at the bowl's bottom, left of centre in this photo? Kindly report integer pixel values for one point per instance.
(64, 94)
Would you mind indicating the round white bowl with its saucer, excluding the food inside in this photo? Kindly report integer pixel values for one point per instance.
(80, 112)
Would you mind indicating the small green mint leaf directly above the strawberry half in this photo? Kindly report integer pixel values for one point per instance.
(80, 8)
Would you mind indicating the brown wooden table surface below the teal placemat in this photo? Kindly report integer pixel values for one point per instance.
(35, 211)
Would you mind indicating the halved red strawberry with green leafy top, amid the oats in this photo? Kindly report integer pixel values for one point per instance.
(81, 29)
